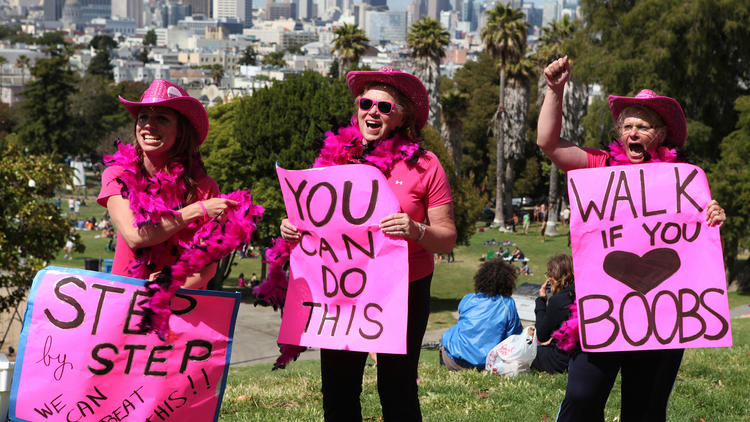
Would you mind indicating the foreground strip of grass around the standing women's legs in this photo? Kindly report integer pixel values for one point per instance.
(712, 385)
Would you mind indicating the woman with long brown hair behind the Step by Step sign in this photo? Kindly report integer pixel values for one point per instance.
(162, 169)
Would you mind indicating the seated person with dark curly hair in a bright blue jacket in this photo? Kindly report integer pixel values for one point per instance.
(485, 318)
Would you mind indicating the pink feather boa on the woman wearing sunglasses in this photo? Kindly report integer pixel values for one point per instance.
(341, 147)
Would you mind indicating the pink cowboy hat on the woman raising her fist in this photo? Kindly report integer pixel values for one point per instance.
(669, 110)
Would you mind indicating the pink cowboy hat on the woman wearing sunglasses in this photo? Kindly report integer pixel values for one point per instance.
(405, 83)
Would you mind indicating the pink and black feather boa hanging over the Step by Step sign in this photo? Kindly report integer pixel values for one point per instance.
(198, 245)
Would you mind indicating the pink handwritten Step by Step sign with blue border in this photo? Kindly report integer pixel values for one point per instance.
(82, 357)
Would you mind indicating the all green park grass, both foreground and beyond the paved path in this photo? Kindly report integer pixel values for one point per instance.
(712, 383)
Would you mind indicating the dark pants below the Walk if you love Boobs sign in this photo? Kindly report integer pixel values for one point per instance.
(647, 380)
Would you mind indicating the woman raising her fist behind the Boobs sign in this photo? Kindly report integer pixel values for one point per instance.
(651, 128)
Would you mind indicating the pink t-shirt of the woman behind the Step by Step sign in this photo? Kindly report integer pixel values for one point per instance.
(206, 188)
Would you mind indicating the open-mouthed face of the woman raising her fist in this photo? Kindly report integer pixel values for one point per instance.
(641, 130)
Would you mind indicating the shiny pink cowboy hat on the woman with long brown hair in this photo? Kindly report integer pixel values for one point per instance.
(166, 94)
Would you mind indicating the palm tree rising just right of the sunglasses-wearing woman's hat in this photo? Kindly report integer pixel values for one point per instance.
(427, 40)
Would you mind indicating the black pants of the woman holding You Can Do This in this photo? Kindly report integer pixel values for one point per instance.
(341, 370)
